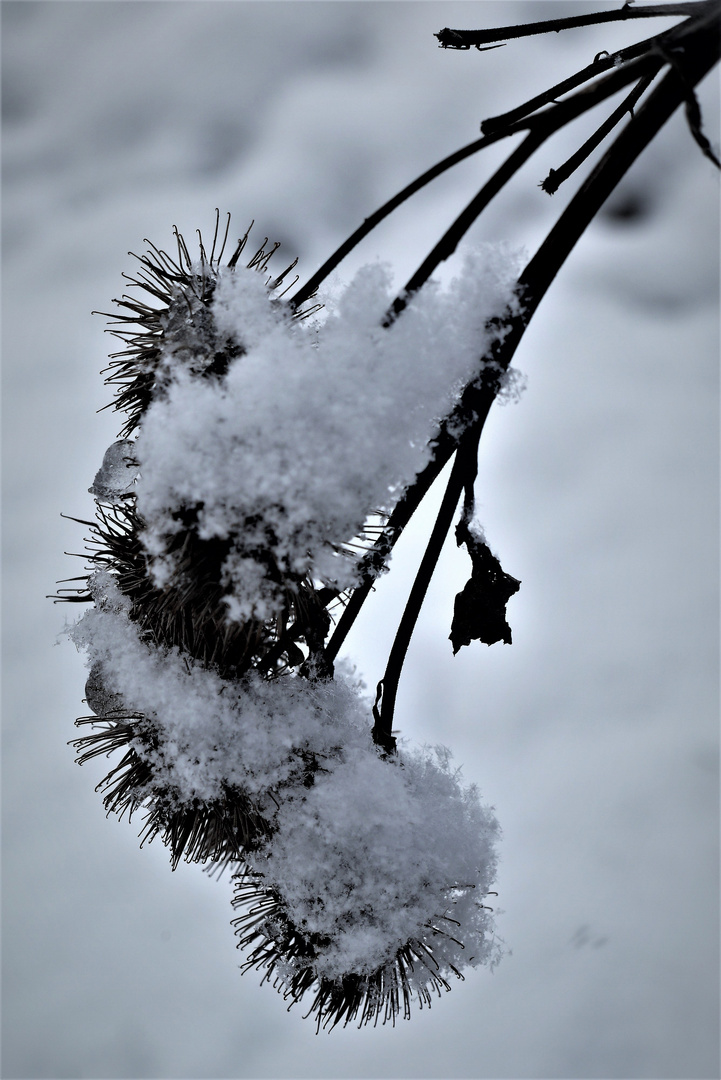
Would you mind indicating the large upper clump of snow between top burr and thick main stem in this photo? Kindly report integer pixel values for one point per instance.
(312, 428)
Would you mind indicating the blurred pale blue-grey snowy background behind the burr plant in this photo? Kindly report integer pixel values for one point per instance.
(594, 735)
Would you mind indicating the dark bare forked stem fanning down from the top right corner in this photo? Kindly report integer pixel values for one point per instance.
(696, 46)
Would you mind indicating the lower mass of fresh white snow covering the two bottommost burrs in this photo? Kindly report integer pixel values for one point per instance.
(373, 855)
